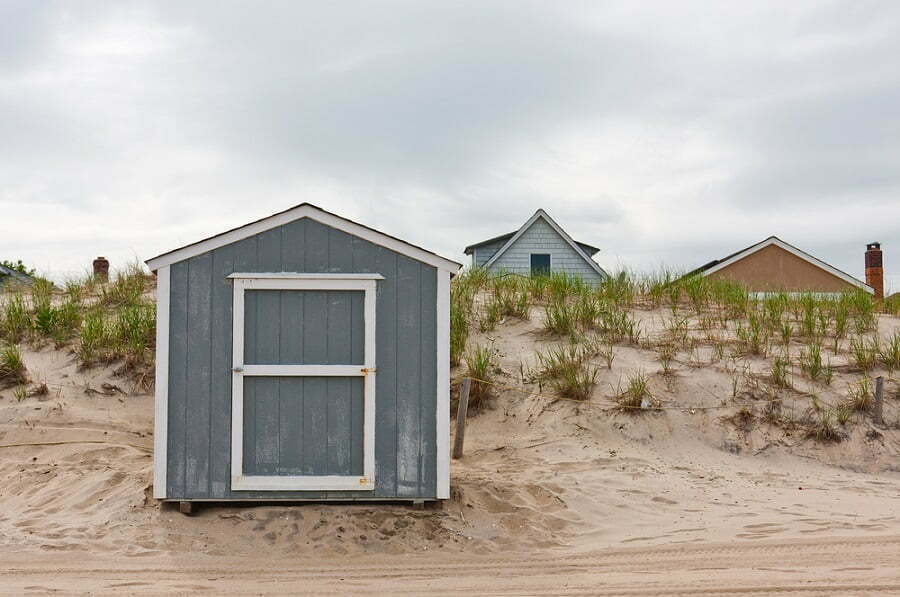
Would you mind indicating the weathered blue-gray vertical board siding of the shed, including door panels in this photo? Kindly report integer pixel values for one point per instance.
(311, 424)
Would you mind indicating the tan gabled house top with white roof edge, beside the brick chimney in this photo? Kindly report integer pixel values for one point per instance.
(773, 265)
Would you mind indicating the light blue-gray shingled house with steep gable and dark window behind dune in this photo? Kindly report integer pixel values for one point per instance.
(539, 246)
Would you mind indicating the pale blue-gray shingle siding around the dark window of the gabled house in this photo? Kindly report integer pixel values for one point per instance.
(540, 237)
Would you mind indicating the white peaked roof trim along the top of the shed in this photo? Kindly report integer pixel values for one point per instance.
(312, 212)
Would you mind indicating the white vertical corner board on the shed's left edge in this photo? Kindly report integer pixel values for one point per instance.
(161, 390)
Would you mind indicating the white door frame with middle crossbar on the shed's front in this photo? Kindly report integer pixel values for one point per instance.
(247, 281)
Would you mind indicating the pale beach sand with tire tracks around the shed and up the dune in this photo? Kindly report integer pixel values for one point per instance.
(551, 497)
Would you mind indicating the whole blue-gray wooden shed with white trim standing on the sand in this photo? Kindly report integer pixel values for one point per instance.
(302, 357)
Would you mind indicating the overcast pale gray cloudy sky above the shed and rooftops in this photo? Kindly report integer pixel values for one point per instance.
(665, 133)
